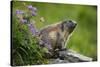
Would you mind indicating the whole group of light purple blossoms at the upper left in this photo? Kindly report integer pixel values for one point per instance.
(26, 19)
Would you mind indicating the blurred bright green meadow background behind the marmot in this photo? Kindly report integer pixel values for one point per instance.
(84, 38)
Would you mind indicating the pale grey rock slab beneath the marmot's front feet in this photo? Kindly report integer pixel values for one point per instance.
(70, 56)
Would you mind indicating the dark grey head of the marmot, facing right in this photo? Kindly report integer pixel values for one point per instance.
(68, 25)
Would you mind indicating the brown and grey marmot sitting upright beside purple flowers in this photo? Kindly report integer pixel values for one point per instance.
(54, 37)
